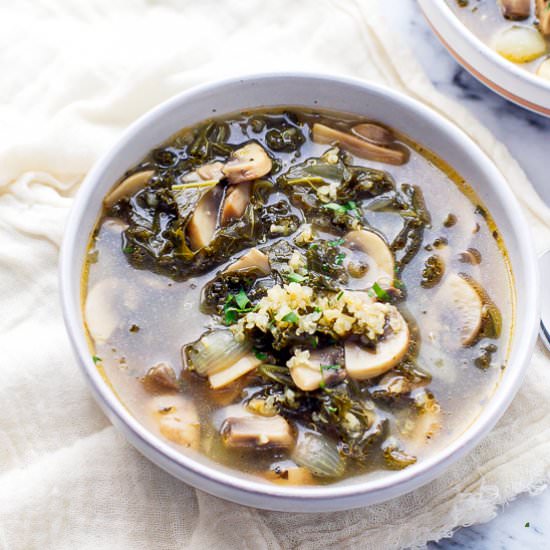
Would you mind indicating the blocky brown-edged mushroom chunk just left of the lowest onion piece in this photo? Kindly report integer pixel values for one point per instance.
(265, 432)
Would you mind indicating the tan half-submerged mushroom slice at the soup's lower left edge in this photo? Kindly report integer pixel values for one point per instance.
(177, 419)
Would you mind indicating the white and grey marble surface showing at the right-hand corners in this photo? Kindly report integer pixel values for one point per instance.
(525, 522)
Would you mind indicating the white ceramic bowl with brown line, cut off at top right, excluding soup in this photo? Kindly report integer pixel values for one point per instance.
(502, 76)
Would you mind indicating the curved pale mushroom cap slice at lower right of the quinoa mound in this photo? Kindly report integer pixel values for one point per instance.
(363, 364)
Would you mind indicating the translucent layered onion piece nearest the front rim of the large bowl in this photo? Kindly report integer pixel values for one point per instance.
(319, 455)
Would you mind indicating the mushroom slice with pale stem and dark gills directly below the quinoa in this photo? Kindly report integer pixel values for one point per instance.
(314, 369)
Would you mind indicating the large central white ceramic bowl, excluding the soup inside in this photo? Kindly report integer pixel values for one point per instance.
(314, 91)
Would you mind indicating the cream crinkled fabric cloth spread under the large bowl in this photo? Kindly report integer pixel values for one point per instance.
(74, 75)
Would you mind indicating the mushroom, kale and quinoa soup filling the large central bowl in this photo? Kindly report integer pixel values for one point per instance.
(302, 296)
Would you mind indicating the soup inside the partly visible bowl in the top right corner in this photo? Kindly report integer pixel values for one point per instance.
(519, 30)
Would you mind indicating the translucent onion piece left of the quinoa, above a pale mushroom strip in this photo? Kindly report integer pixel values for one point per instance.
(214, 351)
